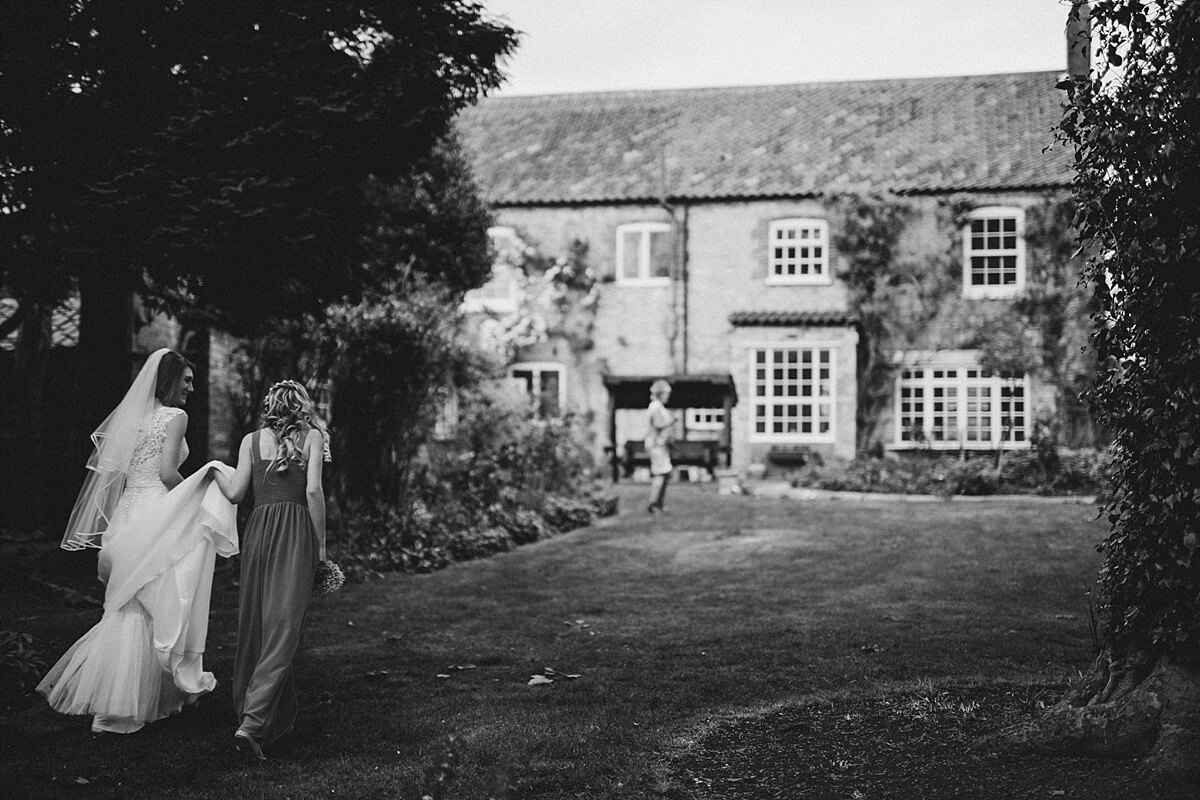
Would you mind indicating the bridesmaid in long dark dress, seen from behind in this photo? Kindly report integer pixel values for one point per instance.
(284, 542)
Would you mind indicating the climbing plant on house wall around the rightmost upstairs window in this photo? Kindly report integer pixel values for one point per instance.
(915, 302)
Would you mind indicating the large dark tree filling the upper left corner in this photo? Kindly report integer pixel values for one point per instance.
(217, 158)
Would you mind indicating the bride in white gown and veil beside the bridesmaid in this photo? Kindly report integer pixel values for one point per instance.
(159, 536)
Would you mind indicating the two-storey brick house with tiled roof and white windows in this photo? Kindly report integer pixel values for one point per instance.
(725, 231)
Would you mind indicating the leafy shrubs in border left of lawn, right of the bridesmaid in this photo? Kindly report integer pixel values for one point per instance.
(506, 479)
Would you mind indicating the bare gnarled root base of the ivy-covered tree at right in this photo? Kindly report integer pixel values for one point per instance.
(1151, 714)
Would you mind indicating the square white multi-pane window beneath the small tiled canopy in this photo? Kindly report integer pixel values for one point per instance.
(794, 393)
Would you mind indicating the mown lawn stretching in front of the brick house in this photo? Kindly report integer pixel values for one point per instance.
(727, 609)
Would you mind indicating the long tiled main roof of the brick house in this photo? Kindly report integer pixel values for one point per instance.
(920, 135)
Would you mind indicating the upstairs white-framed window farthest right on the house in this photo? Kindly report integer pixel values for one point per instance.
(994, 252)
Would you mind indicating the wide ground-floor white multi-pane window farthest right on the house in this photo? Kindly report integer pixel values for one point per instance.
(949, 402)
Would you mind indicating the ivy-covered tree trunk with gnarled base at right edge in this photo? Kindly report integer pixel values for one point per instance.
(1137, 140)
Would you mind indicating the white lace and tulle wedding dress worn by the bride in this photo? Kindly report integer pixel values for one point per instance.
(143, 660)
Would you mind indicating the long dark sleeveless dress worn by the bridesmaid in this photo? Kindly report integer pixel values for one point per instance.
(279, 563)
